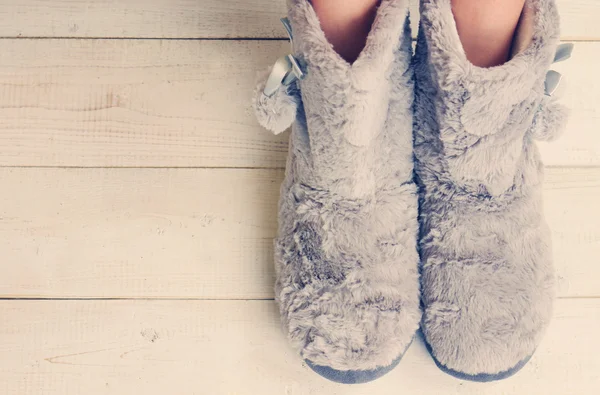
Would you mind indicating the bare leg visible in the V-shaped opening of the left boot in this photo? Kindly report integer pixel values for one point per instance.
(346, 24)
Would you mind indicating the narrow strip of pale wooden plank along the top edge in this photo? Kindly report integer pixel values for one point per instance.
(199, 19)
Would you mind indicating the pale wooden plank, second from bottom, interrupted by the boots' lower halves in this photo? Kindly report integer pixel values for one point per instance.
(202, 233)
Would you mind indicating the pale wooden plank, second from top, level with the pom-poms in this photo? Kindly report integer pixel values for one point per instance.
(124, 103)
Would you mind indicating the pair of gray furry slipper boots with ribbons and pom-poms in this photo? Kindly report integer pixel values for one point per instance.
(387, 225)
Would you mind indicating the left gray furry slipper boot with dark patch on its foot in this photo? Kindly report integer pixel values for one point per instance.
(346, 257)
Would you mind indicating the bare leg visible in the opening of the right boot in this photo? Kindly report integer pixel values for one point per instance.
(486, 28)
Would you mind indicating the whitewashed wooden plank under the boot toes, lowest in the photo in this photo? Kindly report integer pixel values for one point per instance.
(236, 347)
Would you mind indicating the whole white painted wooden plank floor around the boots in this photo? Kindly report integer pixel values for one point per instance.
(138, 203)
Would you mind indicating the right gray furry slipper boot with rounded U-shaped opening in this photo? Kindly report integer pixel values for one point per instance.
(487, 276)
